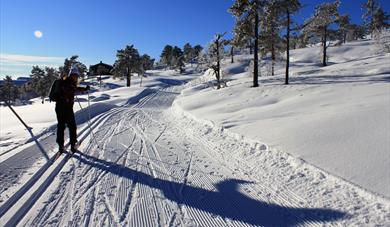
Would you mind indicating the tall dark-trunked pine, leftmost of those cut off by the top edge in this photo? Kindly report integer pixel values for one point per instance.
(247, 12)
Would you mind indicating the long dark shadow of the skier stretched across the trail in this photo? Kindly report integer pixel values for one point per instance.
(227, 202)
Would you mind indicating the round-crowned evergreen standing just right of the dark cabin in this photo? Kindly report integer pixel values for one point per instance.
(127, 62)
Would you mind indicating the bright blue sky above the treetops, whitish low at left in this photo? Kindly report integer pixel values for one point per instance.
(95, 30)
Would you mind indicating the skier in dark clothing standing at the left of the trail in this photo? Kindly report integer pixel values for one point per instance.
(64, 108)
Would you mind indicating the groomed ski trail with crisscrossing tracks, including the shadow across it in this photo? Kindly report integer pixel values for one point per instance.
(157, 166)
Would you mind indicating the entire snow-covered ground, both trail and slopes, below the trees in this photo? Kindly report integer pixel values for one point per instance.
(173, 153)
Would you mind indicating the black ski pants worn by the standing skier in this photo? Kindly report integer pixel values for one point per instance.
(65, 117)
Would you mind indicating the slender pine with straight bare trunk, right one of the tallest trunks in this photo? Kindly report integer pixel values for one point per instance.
(289, 7)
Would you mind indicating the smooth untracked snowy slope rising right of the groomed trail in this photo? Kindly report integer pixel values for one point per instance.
(334, 117)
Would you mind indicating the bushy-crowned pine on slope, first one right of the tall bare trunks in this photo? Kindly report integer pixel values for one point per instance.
(325, 15)
